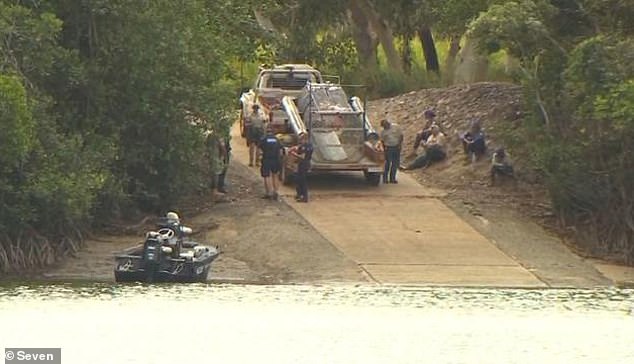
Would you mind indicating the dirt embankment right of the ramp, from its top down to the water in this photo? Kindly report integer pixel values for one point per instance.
(518, 217)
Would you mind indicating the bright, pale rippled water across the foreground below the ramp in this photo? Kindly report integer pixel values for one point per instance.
(105, 323)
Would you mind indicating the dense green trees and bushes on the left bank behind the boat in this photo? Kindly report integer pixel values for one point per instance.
(103, 104)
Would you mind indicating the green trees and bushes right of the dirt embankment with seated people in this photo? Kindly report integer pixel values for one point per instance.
(580, 107)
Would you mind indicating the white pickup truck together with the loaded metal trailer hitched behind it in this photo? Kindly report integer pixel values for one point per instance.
(295, 99)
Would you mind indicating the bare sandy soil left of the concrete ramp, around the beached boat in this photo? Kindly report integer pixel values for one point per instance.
(262, 241)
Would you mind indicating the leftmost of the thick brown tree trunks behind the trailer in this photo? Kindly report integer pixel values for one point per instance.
(365, 42)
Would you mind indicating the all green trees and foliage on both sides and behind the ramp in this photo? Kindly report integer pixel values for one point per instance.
(105, 104)
